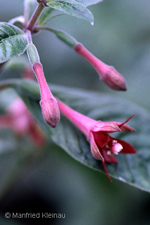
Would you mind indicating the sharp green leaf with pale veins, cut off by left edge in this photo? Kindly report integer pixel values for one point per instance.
(13, 42)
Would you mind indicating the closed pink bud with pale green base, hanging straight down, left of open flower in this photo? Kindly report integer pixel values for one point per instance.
(48, 102)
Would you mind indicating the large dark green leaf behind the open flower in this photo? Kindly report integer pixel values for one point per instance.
(131, 169)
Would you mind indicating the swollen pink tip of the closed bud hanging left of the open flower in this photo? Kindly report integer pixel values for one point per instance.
(50, 111)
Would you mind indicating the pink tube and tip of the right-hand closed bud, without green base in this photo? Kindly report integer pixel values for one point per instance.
(108, 74)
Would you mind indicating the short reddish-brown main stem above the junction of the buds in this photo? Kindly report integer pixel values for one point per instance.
(34, 17)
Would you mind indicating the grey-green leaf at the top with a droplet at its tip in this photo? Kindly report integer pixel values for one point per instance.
(73, 8)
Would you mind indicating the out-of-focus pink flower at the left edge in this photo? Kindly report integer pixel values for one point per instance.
(19, 119)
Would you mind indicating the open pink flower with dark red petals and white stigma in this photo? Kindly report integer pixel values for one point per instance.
(103, 147)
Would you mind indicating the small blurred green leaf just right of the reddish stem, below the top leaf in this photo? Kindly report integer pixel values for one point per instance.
(45, 16)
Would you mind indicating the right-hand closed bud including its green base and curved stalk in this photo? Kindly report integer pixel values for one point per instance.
(108, 74)
